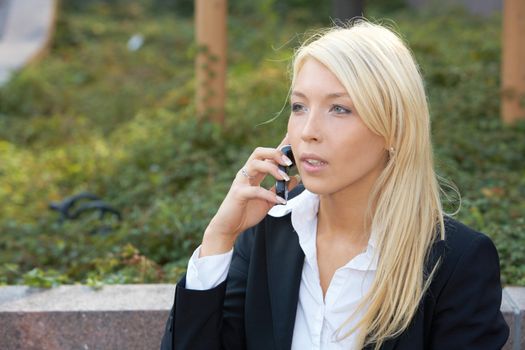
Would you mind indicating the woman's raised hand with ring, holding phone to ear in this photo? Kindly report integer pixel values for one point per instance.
(247, 202)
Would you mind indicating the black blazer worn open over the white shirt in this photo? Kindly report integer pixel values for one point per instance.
(255, 307)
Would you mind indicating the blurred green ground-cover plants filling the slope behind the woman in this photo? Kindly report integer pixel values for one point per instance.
(109, 109)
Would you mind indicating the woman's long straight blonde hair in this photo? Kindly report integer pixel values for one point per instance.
(383, 81)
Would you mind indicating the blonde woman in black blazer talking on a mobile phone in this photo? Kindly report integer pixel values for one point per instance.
(363, 255)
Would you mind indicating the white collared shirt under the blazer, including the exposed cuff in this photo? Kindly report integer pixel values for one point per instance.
(316, 320)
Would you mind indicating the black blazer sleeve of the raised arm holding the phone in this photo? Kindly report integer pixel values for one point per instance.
(212, 319)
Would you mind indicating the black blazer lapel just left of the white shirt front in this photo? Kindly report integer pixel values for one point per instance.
(285, 264)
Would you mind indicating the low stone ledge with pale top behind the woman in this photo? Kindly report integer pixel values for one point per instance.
(129, 317)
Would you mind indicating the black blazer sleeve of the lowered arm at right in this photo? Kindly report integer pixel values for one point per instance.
(467, 314)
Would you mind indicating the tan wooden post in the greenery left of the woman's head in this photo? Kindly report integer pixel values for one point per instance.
(210, 69)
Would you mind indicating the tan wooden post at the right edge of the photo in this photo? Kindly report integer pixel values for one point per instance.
(513, 61)
